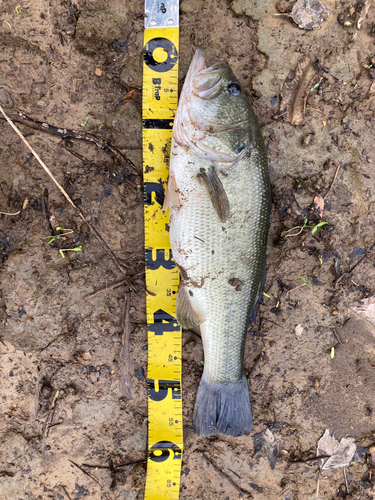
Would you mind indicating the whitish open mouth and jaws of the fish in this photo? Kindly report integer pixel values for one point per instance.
(204, 81)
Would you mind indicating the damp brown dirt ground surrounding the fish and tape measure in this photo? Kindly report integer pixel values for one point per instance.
(70, 65)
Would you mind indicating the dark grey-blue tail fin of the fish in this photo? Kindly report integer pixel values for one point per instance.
(223, 408)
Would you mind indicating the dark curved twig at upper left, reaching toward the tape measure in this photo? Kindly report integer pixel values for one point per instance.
(62, 132)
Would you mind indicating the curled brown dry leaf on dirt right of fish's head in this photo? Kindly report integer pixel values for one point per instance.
(294, 91)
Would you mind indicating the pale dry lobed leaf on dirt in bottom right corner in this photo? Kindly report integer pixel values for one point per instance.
(340, 452)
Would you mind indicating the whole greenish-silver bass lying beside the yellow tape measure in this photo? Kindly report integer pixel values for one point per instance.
(219, 200)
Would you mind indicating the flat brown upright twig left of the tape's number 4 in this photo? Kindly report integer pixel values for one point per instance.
(126, 366)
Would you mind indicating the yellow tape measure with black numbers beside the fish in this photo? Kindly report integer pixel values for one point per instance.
(160, 85)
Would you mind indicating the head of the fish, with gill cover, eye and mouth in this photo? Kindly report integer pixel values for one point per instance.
(214, 116)
